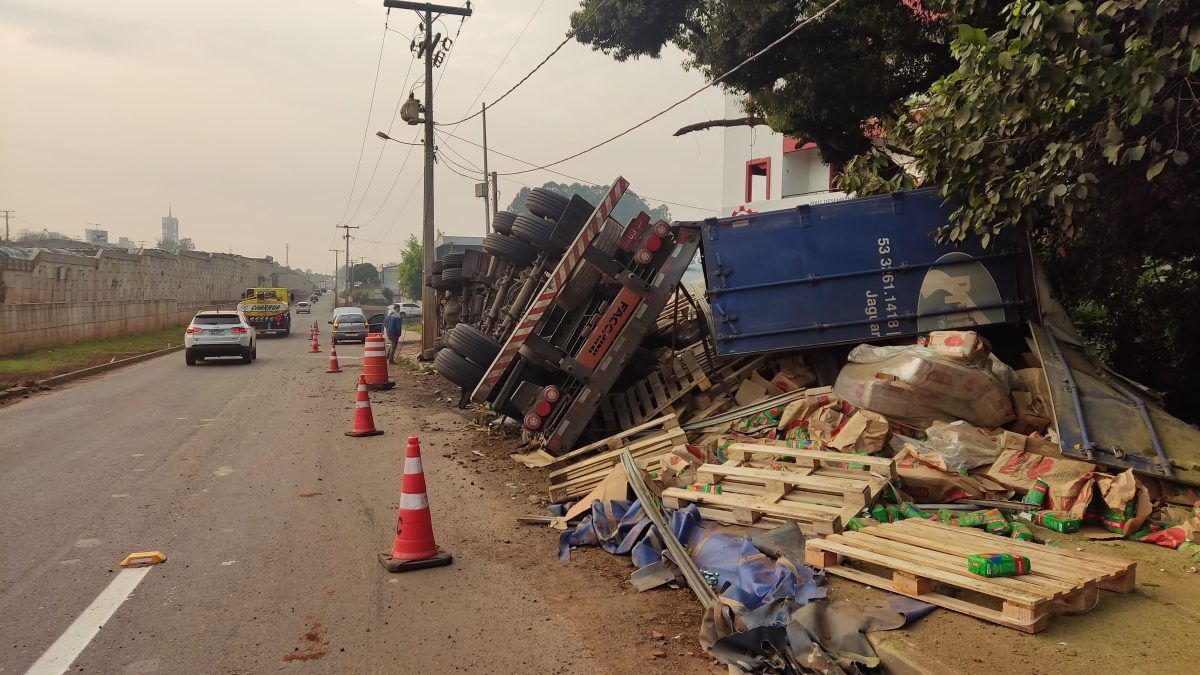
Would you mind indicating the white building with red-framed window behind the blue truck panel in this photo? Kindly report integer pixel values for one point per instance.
(766, 171)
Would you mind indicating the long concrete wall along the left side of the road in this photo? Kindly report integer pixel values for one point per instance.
(50, 297)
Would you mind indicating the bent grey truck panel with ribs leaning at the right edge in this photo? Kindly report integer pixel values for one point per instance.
(1103, 421)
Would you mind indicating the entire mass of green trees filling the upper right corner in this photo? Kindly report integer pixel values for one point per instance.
(1072, 126)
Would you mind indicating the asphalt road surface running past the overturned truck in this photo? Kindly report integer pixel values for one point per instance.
(271, 518)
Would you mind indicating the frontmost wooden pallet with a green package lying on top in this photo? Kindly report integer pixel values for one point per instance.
(920, 553)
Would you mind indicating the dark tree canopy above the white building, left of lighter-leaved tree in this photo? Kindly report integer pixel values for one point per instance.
(823, 85)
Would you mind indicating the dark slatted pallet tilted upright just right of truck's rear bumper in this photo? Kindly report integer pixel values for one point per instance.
(655, 395)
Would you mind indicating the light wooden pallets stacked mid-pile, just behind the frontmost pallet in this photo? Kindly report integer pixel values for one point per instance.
(820, 491)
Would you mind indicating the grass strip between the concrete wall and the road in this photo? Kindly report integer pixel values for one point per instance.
(65, 359)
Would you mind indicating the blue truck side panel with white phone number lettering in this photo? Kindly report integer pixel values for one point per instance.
(850, 272)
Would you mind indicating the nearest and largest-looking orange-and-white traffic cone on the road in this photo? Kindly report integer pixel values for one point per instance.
(413, 547)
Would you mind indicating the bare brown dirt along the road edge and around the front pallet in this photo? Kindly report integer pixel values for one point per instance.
(1141, 632)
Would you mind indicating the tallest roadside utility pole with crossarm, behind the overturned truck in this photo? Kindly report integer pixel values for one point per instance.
(429, 301)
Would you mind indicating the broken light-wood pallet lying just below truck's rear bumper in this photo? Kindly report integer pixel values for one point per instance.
(578, 473)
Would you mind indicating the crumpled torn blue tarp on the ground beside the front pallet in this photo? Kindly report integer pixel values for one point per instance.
(747, 577)
